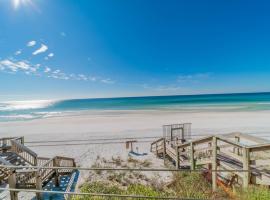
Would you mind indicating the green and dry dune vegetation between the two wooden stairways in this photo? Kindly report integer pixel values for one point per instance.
(184, 184)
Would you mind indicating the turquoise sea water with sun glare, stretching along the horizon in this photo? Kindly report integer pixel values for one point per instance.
(26, 110)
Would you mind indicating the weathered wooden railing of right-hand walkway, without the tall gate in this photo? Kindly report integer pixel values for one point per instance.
(221, 153)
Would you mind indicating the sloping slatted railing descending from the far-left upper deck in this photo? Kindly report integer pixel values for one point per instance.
(24, 152)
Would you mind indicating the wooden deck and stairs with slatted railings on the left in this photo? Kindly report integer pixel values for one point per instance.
(13, 152)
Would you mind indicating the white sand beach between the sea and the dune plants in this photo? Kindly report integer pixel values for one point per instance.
(117, 124)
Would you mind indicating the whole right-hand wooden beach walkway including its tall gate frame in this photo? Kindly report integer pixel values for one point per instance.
(245, 157)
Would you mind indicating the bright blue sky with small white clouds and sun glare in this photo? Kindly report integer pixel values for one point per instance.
(107, 48)
